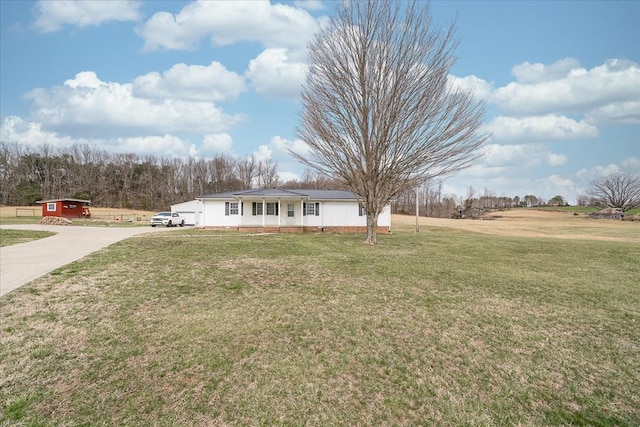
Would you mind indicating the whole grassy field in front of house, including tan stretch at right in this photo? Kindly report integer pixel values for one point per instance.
(478, 323)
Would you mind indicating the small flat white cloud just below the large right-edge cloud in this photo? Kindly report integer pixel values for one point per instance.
(539, 128)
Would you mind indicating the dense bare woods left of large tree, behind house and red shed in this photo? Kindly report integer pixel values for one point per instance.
(127, 180)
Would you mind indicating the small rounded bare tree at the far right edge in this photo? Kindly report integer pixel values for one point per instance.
(618, 190)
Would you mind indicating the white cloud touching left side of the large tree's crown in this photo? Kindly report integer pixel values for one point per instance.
(272, 73)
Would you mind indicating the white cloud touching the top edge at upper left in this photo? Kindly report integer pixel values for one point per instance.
(50, 16)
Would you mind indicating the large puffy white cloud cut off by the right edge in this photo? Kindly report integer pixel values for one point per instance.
(563, 87)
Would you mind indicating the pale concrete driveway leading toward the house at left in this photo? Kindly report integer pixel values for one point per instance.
(22, 263)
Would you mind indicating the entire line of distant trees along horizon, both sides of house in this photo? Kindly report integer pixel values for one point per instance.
(147, 182)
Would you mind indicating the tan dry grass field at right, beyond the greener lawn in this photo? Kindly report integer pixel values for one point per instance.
(534, 223)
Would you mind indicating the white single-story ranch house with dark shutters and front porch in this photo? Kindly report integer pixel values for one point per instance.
(281, 210)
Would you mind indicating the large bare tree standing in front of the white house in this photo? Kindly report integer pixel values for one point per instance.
(379, 111)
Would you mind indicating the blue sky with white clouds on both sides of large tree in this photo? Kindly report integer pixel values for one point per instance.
(178, 78)
